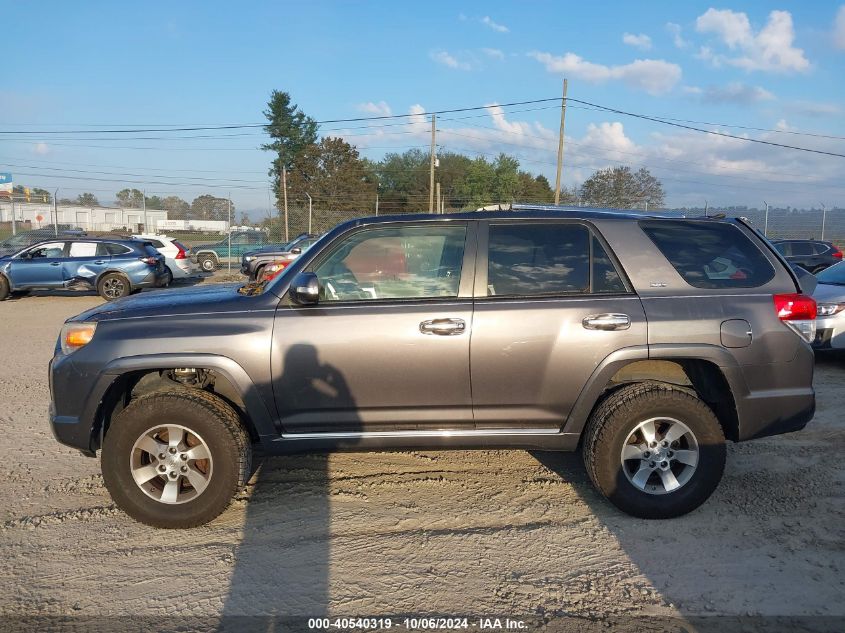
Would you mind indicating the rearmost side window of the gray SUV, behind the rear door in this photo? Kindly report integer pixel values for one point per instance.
(709, 254)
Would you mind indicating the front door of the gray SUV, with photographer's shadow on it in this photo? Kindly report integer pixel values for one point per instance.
(387, 347)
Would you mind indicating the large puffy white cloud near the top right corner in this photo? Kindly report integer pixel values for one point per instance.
(769, 50)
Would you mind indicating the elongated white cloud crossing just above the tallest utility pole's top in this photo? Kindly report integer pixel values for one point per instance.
(655, 76)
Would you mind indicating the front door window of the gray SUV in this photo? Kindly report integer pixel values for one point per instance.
(407, 262)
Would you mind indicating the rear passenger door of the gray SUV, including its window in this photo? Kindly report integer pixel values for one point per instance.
(550, 305)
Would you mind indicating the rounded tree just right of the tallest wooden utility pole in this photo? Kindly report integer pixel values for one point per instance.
(620, 187)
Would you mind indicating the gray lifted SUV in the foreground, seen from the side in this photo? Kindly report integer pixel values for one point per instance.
(645, 342)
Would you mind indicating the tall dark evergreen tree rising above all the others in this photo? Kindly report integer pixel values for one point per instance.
(292, 132)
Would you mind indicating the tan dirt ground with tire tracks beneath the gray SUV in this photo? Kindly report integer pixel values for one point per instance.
(484, 533)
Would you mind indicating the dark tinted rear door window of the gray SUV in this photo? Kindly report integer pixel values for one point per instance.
(547, 259)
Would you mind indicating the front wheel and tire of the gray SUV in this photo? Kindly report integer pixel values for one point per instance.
(204, 420)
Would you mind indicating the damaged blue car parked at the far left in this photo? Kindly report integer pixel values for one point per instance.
(113, 268)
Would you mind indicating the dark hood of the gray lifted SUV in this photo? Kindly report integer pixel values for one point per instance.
(162, 303)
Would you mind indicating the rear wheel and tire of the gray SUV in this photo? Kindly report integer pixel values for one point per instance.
(642, 487)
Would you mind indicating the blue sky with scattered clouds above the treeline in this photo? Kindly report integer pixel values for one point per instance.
(758, 70)
